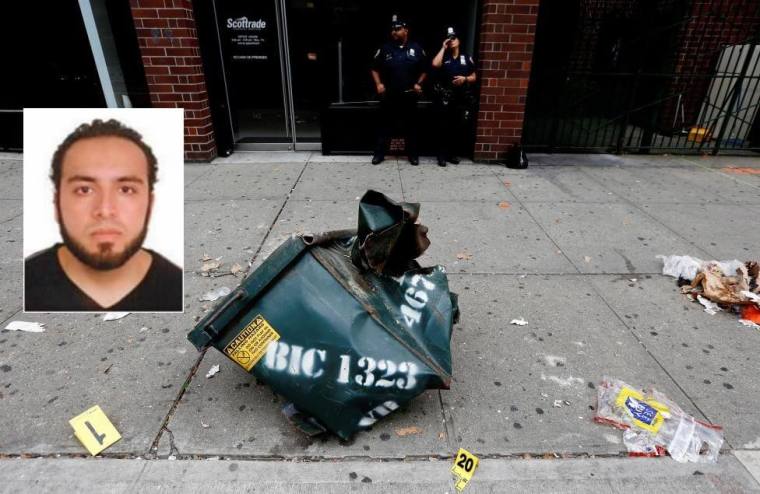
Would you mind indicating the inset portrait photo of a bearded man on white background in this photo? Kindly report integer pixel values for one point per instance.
(103, 210)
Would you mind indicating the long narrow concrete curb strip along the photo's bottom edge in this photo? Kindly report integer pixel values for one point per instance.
(493, 475)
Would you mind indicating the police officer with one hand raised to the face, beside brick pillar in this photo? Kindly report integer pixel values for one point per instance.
(453, 96)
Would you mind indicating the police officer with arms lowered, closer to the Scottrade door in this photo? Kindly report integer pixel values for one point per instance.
(399, 69)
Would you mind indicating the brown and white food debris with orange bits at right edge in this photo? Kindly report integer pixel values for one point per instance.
(731, 286)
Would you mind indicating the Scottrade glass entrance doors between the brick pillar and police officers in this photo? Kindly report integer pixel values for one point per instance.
(264, 47)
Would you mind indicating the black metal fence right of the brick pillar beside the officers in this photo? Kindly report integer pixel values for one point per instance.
(638, 76)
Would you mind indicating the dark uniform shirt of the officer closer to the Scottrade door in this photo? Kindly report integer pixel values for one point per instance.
(400, 67)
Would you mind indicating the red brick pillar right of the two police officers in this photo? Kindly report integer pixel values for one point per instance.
(506, 49)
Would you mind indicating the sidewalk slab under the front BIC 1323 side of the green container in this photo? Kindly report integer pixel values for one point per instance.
(245, 418)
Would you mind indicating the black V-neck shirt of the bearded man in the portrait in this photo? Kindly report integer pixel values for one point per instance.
(48, 288)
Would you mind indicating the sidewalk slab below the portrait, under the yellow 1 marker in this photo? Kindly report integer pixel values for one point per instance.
(81, 361)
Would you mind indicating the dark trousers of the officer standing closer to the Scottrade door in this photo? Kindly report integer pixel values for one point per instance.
(397, 116)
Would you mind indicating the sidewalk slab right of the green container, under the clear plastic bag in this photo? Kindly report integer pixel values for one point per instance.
(507, 377)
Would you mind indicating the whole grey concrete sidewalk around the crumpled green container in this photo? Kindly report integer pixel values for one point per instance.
(569, 244)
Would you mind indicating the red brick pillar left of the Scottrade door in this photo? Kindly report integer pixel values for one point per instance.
(169, 48)
